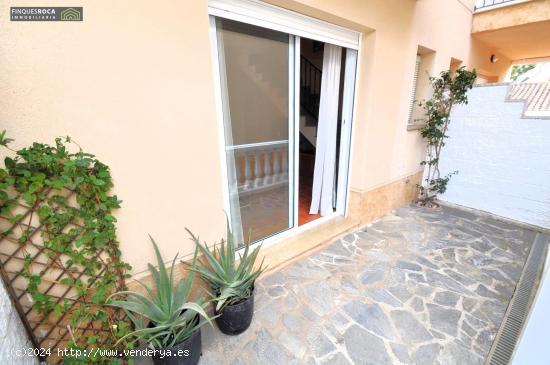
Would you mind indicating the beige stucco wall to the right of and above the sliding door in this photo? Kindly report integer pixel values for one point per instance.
(384, 151)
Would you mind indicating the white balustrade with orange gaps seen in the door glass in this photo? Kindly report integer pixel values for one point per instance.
(261, 166)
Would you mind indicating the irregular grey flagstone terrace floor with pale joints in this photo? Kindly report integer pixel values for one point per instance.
(419, 286)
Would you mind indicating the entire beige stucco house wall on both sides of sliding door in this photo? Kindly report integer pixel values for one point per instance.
(136, 88)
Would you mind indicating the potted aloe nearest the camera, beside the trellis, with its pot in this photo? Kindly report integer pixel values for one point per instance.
(165, 318)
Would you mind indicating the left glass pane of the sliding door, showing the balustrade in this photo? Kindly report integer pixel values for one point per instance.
(254, 68)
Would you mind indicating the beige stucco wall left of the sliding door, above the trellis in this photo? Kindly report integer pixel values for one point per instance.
(134, 87)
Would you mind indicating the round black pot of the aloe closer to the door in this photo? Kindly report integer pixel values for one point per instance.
(235, 319)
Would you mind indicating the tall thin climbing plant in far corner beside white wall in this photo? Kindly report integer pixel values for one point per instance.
(448, 90)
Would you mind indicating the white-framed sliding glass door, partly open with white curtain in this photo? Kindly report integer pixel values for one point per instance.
(265, 131)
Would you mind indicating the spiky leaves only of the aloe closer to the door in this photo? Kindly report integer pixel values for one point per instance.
(230, 282)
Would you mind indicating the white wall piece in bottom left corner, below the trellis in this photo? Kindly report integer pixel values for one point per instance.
(12, 334)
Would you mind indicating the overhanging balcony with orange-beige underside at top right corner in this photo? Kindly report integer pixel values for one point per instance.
(516, 28)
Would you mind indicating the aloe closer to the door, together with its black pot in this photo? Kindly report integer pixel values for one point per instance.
(232, 282)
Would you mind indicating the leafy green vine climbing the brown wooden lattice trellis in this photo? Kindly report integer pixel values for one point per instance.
(68, 193)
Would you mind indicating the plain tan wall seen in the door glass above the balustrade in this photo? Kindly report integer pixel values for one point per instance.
(256, 65)
